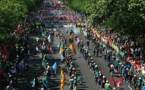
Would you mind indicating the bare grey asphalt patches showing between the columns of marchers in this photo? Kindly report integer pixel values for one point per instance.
(88, 77)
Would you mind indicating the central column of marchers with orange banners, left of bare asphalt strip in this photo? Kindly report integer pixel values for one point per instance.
(71, 68)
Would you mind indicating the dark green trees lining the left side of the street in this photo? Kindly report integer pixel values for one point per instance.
(13, 12)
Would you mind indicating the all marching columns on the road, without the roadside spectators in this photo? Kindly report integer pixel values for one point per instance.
(116, 63)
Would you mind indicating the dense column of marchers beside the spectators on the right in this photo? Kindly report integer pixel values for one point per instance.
(117, 64)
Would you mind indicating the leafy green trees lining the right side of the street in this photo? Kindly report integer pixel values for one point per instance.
(125, 16)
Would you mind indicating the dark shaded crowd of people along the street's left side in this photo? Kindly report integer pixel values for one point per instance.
(15, 60)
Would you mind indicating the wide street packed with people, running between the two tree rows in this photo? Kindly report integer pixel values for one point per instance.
(54, 51)
